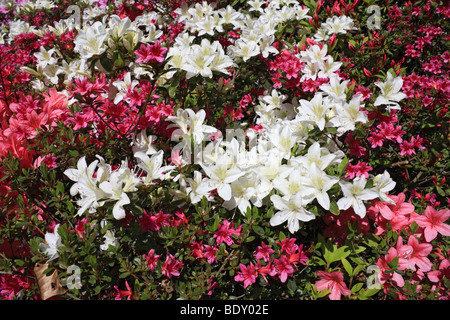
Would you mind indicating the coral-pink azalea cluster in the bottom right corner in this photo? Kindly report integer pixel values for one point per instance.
(413, 255)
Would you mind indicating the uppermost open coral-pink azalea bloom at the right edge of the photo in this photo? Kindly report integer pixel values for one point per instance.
(433, 222)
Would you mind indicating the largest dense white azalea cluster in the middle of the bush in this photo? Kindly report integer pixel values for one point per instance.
(269, 171)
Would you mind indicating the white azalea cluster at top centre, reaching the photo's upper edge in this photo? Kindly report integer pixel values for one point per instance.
(257, 35)
